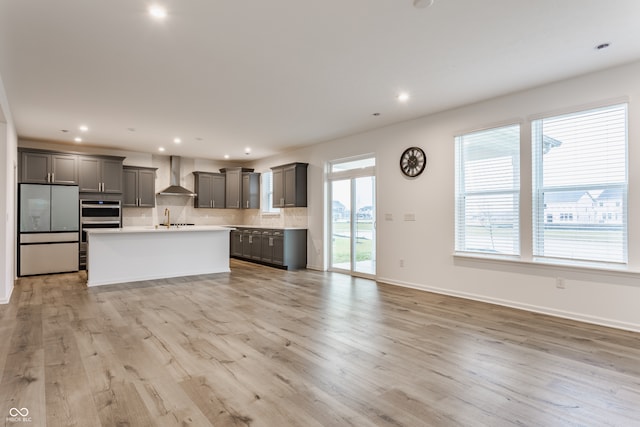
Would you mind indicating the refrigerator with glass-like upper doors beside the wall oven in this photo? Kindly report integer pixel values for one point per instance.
(48, 234)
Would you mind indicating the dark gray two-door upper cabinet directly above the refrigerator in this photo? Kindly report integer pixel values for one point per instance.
(48, 167)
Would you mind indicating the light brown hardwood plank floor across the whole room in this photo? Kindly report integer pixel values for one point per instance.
(265, 347)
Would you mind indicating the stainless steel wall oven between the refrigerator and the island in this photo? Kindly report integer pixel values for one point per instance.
(95, 214)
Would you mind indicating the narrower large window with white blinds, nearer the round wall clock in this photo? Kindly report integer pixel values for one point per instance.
(488, 191)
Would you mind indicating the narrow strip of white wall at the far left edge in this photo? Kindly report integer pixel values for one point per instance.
(8, 144)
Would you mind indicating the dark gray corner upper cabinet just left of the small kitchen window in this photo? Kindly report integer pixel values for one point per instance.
(242, 187)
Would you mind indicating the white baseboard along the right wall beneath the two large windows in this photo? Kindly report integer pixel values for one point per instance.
(595, 320)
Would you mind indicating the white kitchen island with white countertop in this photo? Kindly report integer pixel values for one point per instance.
(130, 254)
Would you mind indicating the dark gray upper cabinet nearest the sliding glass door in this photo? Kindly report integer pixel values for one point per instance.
(290, 185)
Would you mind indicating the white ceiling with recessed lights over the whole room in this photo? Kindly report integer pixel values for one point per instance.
(273, 75)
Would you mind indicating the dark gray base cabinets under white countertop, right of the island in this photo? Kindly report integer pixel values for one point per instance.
(284, 248)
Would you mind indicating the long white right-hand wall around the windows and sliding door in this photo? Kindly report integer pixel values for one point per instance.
(427, 245)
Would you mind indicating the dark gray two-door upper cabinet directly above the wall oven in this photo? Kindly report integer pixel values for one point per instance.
(100, 174)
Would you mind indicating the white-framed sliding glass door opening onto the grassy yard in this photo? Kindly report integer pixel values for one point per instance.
(352, 200)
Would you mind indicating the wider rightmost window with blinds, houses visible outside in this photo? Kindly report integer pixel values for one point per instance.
(580, 173)
